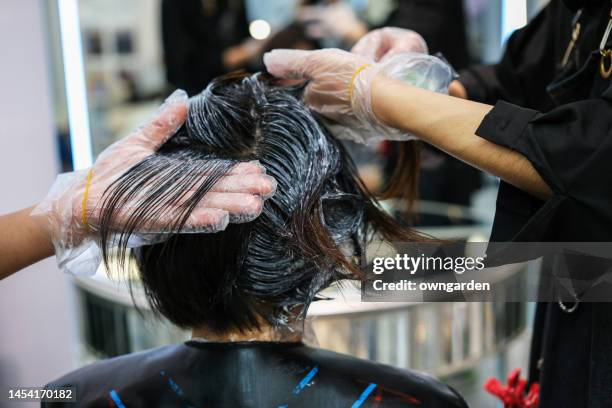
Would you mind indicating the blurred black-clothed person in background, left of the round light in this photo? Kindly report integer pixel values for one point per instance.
(203, 39)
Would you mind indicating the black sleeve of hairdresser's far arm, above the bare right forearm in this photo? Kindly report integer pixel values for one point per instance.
(529, 62)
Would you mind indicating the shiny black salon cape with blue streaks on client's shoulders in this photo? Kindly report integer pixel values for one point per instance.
(250, 374)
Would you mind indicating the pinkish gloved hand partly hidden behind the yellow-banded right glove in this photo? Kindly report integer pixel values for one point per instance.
(384, 43)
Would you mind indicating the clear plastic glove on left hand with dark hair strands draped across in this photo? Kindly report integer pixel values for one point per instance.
(74, 203)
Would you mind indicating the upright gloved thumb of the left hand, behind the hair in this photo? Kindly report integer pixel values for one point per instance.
(169, 117)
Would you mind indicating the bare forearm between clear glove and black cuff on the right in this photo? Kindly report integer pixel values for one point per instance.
(450, 124)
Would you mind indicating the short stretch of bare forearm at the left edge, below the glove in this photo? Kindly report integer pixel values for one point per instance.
(23, 241)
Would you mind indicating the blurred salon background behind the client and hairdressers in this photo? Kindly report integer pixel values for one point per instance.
(79, 74)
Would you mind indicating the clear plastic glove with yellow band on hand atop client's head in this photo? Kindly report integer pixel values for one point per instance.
(340, 86)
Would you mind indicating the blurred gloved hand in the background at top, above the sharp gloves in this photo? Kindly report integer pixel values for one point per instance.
(337, 20)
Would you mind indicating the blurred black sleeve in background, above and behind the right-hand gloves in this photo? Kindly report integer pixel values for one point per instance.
(440, 22)
